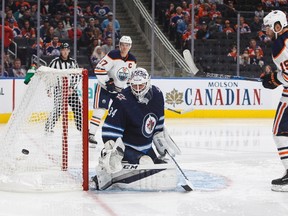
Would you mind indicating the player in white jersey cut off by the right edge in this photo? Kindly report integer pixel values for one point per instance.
(277, 29)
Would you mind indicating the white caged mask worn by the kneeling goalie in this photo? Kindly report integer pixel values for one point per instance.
(140, 85)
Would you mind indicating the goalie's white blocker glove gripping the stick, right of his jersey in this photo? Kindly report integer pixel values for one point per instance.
(163, 142)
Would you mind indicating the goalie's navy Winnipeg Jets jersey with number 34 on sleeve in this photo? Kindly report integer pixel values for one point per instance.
(134, 122)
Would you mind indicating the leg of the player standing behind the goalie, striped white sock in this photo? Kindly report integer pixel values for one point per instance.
(101, 103)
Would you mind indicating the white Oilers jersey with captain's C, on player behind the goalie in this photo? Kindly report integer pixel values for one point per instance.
(113, 65)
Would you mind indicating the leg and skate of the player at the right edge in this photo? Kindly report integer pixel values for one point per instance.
(280, 135)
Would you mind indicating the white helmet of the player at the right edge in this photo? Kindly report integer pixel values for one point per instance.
(273, 17)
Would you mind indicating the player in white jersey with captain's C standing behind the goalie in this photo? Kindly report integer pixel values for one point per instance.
(112, 72)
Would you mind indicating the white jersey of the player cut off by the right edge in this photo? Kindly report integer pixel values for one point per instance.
(280, 58)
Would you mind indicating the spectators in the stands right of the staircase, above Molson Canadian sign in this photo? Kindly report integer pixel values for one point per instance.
(217, 20)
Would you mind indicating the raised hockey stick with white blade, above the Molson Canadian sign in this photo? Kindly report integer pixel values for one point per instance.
(193, 69)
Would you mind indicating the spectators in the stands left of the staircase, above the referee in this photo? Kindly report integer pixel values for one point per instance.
(93, 31)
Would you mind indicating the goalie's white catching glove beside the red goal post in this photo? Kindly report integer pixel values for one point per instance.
(112, 155)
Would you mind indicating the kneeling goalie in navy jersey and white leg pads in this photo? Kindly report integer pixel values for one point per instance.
(135, 119)
